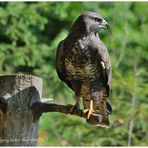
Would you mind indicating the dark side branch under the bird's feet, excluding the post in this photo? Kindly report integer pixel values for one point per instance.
(39, 107)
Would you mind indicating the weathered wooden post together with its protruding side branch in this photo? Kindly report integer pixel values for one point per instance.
(21, 107)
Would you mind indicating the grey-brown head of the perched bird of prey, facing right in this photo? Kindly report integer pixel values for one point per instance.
(89, 22)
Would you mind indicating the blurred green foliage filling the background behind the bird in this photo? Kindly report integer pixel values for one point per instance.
(29, 35)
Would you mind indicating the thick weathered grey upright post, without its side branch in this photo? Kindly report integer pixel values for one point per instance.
(17, 93)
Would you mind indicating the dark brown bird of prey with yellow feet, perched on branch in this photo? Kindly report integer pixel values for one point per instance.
(83, 63)
